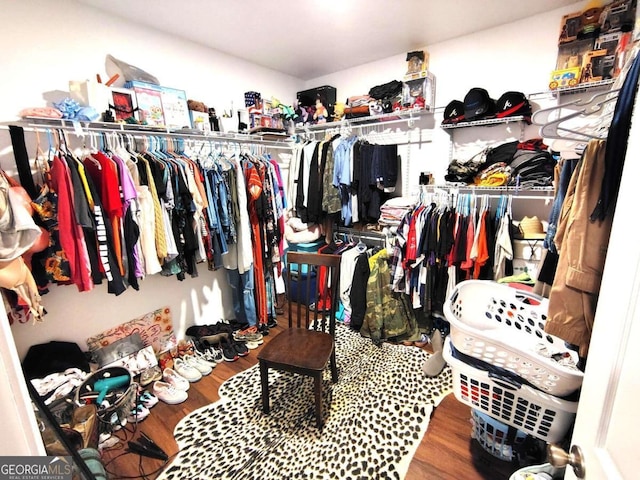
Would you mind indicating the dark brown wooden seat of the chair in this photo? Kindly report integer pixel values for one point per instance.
(285, 349)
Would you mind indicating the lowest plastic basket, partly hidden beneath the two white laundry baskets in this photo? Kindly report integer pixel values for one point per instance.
(493, 436)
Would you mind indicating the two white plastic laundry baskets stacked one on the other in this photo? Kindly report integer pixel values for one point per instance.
(505, 365)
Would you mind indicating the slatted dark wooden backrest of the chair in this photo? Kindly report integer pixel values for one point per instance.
(313, 278)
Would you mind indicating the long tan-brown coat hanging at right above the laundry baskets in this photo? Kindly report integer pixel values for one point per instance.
(582, 246)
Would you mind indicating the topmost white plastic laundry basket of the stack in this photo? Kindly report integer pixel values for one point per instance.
(504, 326)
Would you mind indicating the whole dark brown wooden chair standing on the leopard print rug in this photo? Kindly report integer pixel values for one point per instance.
(308, 345)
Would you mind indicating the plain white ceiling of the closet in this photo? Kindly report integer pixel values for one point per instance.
(311, 38)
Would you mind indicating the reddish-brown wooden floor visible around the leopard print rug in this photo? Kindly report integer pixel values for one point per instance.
(446, 452)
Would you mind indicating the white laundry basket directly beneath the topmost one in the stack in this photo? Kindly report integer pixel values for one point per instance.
(528, 409)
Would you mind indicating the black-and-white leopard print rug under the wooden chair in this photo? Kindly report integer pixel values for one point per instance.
(375, 417)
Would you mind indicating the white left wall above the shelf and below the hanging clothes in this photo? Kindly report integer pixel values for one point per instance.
(46, 44)
